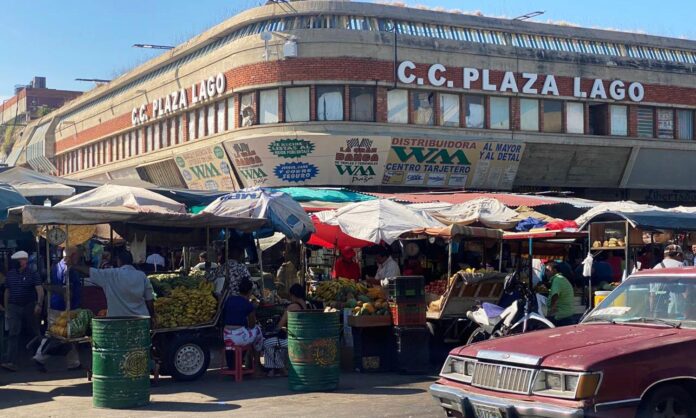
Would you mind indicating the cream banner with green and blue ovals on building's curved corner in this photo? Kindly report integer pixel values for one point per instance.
(309, 160)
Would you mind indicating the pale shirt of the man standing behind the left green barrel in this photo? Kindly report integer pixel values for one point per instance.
(126, 290)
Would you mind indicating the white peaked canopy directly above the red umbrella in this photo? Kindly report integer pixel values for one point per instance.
(378, 220)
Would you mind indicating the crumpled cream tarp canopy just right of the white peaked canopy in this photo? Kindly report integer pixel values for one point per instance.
(487, 211)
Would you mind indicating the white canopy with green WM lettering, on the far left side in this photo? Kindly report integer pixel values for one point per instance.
(115, 196)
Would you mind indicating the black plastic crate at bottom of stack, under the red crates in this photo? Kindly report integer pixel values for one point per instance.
(412, 350)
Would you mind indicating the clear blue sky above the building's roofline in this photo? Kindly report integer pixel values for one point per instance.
(68, 39)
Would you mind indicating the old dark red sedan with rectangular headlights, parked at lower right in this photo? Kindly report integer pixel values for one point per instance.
(634, 355)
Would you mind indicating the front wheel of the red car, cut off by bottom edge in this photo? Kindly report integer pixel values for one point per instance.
(668, 402)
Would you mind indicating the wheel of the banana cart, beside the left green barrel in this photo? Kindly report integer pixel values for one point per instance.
(188, 359)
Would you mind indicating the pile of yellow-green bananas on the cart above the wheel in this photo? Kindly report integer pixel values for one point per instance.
(183, 300)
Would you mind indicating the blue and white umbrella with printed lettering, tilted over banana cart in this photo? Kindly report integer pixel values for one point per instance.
(279, 209)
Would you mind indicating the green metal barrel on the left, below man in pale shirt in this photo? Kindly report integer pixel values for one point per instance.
(120, 362)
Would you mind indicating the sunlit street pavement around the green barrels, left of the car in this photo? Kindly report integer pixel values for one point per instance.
(29, 393)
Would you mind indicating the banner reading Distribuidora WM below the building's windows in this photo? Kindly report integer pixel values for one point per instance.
(452, 163)
